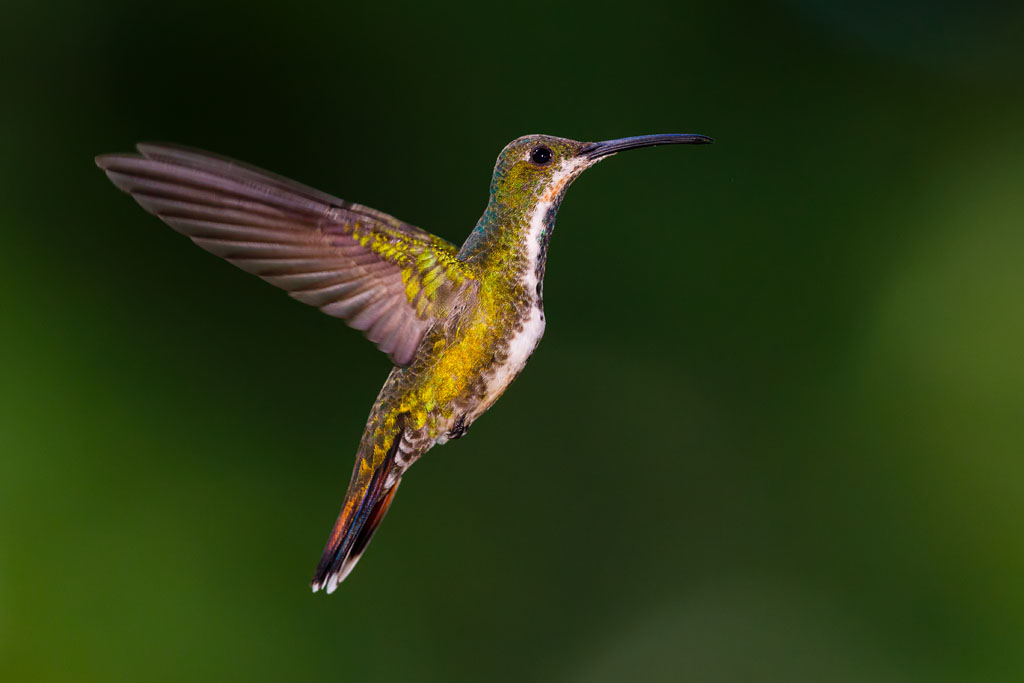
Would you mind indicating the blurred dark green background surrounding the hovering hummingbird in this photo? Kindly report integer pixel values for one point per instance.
(776, 432)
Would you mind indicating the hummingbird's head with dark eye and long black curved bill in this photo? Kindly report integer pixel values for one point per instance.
(536, 169)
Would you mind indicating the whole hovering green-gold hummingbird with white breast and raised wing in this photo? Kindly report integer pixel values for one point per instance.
(458, 323)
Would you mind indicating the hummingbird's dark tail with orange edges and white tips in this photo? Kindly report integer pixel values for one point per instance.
(370, 495)
